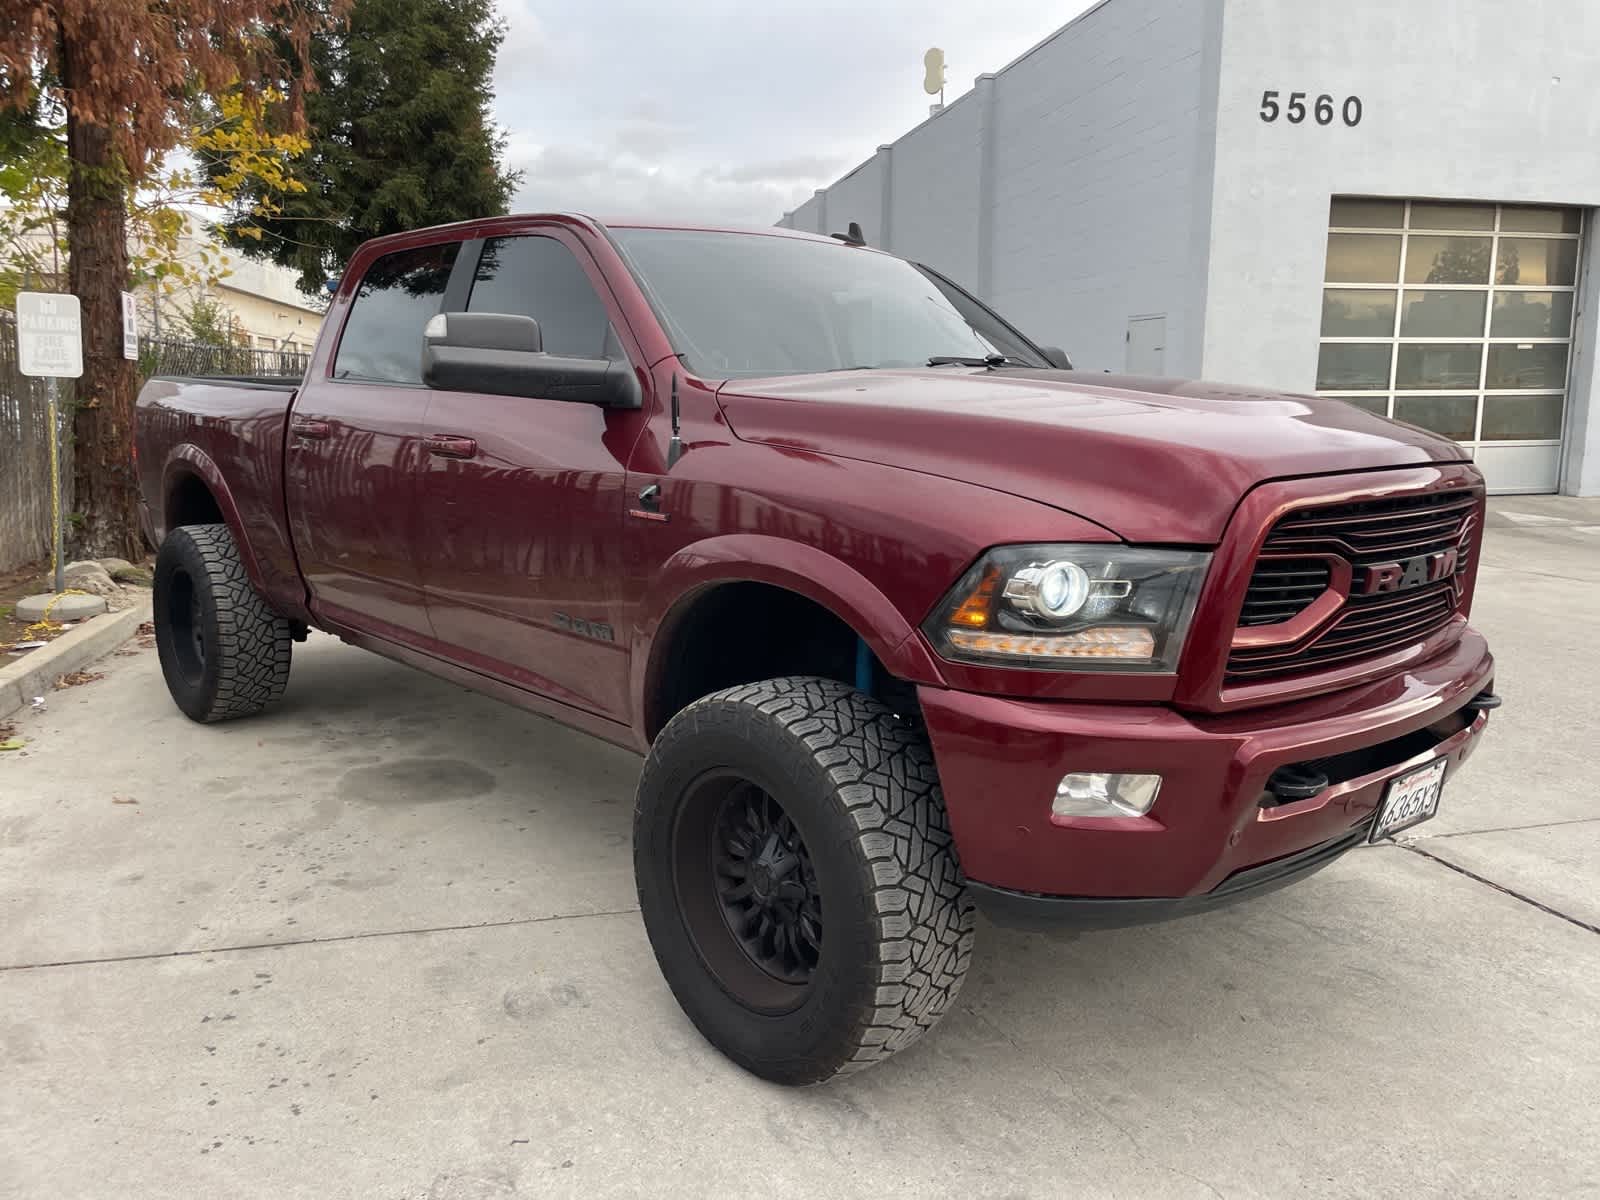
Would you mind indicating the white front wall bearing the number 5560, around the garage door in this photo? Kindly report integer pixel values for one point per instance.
(1462, 100)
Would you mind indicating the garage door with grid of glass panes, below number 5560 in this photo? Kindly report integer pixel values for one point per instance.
(1457, 318)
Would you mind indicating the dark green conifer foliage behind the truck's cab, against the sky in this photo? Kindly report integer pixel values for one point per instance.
(401, 137)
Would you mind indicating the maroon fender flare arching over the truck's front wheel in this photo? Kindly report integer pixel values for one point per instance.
(796, 567)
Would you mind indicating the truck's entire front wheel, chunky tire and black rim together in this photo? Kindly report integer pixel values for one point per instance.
(798, 878)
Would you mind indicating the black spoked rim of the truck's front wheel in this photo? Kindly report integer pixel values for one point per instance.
(748, 892)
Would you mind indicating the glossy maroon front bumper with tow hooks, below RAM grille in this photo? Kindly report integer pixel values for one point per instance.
(1215, 834)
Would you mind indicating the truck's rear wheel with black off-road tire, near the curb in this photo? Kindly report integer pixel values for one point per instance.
(223, 652)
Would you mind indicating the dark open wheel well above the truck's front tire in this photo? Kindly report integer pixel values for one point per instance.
(743, 633)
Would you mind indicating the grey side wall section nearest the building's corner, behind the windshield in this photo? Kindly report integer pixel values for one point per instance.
(1102, 177)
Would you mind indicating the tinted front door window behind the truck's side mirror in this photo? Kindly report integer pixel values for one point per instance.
(540, 278)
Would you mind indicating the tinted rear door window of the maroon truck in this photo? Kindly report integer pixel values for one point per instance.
(383, 337)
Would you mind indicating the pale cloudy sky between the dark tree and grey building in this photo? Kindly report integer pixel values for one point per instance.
(727, 111)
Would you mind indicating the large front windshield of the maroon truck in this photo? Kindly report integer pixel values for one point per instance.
(756, 305)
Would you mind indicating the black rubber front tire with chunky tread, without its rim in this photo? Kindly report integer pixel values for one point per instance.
(897, 921)
